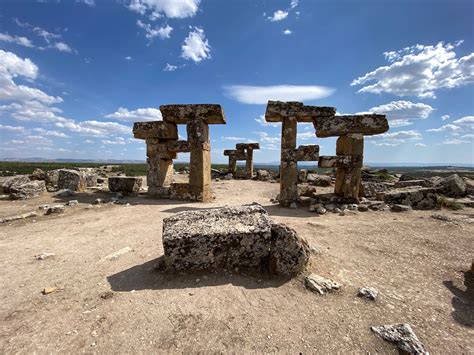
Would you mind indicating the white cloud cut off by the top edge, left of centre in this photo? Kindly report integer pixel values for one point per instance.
(169, 8)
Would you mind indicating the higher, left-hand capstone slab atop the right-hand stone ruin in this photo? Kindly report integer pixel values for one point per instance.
(278, 110)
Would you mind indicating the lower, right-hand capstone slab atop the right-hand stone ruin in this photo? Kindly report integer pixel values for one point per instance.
(341, 125)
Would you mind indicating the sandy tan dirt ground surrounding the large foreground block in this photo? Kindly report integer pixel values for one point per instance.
(417, 263)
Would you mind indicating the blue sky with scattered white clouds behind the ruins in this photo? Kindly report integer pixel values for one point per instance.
(75, 75)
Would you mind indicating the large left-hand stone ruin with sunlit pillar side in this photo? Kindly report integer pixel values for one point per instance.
(162, 147)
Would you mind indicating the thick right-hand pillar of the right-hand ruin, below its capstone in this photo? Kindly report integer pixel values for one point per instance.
(348, 178)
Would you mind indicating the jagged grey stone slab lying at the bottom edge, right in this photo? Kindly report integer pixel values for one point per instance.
(402, 336)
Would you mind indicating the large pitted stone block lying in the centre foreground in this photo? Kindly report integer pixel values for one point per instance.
(231, 237)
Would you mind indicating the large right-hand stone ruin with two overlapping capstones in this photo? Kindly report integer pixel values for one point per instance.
(349, 146)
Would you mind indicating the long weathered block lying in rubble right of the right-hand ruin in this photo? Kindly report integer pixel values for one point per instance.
(418, 198)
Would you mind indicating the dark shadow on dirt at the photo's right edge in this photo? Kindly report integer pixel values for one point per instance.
(463, 301)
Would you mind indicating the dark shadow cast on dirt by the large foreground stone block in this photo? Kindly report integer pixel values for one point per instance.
(146, 277)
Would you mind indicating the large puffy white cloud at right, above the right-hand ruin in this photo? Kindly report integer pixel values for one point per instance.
(419, 70)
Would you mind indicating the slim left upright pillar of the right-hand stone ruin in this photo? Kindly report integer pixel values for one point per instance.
(288, 168)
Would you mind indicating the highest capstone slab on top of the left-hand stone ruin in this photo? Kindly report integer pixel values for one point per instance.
(180, 114)
